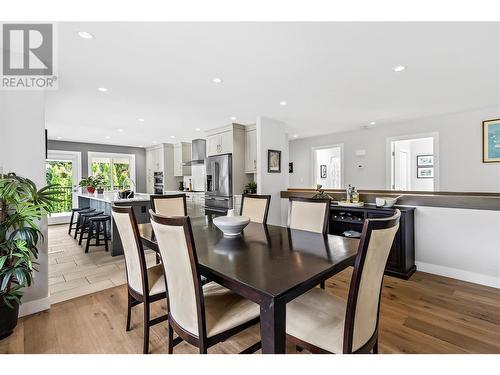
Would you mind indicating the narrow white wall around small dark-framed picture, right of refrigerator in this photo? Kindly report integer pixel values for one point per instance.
(271, 135)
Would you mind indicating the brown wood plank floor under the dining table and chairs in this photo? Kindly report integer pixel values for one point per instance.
(427, 314)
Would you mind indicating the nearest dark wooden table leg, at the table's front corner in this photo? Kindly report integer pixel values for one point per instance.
(273, 326)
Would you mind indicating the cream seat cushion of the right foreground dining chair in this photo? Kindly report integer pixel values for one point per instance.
(317, 317)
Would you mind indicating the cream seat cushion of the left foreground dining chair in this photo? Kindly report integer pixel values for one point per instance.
(225, 310)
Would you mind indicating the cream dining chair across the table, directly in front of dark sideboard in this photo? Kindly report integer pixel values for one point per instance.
(309, 214)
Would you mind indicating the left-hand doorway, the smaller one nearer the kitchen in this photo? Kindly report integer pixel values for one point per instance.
(327, 166)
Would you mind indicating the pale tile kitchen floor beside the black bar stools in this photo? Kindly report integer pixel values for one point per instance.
(74, 273)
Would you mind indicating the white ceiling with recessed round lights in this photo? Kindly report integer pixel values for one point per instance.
(334, 76)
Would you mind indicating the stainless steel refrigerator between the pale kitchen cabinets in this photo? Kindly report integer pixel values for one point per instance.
(219, 178)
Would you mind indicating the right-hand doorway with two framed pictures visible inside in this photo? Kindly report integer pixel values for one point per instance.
(413, 164)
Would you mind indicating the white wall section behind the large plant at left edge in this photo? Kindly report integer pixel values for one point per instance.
(22, 150)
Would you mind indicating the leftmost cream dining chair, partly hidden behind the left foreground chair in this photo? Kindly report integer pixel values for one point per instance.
(145, 285)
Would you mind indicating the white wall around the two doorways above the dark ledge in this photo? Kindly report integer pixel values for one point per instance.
(460, 150)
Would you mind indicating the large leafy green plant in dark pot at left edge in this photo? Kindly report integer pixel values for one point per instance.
(21, 207)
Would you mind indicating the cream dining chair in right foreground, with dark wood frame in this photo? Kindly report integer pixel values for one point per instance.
(321, 322)
